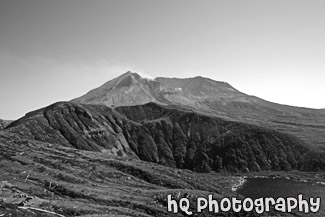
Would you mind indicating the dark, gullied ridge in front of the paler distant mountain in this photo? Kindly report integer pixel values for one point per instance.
(168, 136)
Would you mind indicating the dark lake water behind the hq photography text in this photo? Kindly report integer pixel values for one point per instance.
(281, 187)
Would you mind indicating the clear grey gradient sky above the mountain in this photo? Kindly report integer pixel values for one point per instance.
(58, 50)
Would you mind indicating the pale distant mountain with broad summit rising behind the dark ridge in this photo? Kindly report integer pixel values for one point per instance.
(211, 97)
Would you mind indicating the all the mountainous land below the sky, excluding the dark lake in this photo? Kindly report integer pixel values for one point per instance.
(123, 147)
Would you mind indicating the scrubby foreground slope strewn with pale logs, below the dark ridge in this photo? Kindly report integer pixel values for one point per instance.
(43, 179)
